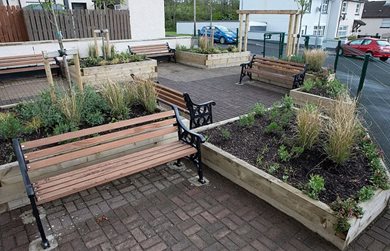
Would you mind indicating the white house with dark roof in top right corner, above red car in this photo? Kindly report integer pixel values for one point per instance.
(376, 15)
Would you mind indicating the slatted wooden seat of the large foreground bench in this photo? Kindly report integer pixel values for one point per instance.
(94, 171)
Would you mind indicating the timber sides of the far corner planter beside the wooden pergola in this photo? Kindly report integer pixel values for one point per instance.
(209, 61)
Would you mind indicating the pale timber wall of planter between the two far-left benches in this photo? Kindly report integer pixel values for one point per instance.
(96, 75)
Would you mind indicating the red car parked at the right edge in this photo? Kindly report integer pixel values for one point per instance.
(376, 47)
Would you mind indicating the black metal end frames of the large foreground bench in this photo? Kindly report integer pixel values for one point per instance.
(184, 134)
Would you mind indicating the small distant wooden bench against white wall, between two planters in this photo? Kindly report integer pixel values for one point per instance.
(154, 51)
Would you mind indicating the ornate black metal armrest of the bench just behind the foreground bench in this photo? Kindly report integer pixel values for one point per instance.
(200, 114)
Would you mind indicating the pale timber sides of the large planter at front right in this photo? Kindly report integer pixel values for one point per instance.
(314, 214)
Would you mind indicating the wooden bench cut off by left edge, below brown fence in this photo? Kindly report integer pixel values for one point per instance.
(23, 63)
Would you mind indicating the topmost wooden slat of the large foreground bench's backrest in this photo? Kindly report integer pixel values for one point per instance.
(94, 130)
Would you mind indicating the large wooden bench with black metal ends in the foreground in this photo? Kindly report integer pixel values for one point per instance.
(56, 150)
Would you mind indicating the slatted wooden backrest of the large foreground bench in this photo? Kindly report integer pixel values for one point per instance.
(54, 150)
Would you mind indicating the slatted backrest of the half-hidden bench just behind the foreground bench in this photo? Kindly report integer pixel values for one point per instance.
(170, 96)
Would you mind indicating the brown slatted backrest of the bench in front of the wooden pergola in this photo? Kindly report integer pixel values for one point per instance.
(279, 66)
